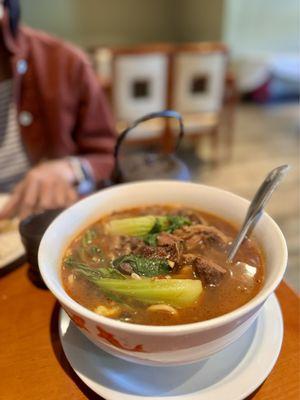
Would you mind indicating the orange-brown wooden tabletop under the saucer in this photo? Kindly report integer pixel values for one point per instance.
(33, 365)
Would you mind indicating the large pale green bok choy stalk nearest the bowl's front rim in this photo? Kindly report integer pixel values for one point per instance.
(175, 292)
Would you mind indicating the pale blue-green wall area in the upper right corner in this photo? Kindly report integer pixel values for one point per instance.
(261, 26)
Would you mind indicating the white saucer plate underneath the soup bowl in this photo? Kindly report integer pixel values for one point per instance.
(231, 374)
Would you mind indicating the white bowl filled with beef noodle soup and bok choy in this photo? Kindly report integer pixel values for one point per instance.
(141, 269)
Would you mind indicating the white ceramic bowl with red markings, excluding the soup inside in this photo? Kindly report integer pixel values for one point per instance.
(160, 345)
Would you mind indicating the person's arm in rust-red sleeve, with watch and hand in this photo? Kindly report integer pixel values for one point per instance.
(57, 183)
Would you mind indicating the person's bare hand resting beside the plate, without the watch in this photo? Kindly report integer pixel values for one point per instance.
(47, 186)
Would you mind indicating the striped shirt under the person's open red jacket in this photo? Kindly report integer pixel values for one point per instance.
(14, 162)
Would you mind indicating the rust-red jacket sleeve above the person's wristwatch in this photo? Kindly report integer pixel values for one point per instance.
(94, 134)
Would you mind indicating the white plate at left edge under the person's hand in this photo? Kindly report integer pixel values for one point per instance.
(11, 247)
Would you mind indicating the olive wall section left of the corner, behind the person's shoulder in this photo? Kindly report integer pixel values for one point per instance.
(111, 22)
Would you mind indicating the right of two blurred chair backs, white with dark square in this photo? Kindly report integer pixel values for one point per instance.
(198, 85)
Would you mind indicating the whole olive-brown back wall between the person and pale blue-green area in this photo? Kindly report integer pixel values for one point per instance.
(121, 22)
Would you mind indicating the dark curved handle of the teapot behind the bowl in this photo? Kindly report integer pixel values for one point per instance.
(147, 117)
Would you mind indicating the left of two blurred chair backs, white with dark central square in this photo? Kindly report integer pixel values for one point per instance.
(139, 87)
